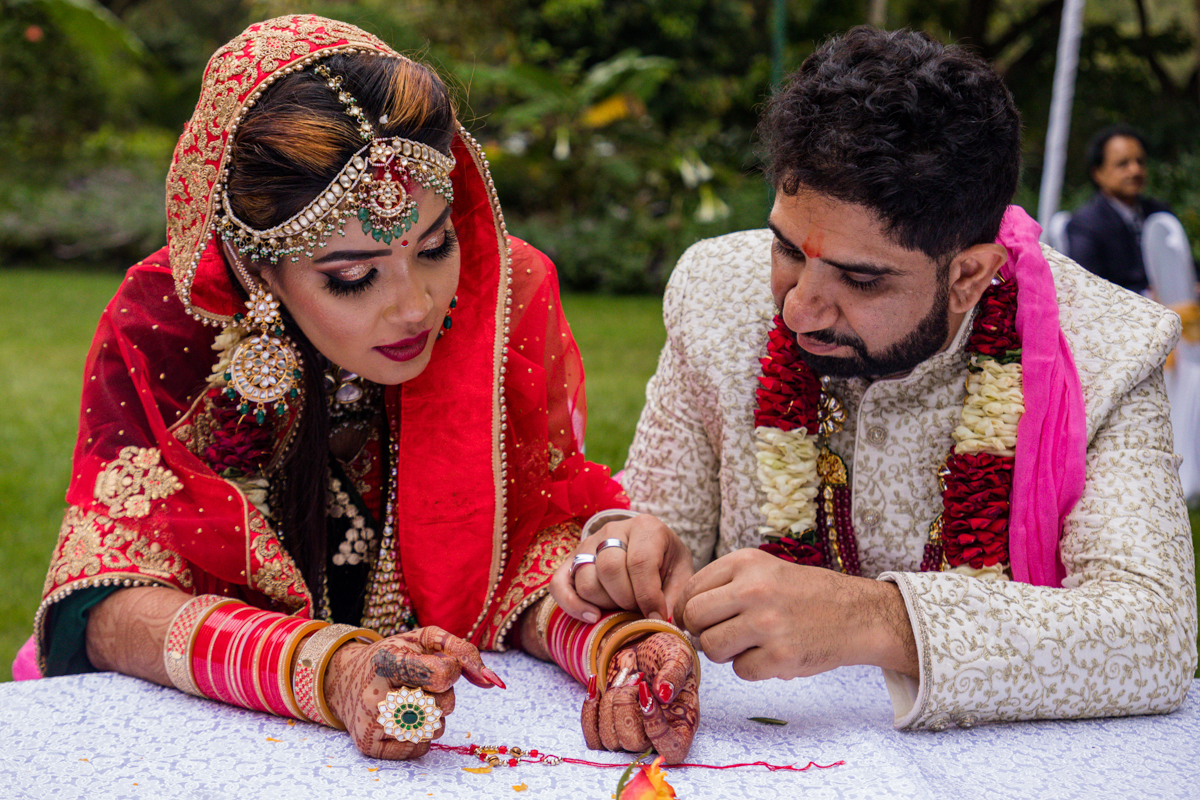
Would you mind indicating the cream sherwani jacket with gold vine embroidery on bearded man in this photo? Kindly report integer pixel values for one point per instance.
(1119, 639)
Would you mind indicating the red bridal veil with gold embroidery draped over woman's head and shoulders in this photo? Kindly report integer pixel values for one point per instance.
(491, 479)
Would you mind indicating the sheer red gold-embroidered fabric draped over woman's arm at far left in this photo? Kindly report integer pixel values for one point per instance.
(142, 508)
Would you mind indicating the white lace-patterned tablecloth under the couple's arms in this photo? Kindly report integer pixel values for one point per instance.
(107, 736)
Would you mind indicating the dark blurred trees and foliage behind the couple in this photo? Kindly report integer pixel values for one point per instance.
(620, 133)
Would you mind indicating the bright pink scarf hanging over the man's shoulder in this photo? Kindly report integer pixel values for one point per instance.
(1052, 437)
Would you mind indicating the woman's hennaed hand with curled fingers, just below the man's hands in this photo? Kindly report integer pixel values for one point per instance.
(653, 700)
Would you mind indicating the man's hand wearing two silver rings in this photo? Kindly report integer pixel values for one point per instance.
(647, 575)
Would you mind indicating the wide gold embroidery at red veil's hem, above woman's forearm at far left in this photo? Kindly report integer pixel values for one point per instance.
(93, 545)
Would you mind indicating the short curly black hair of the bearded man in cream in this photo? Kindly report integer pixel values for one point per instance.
(925, 135)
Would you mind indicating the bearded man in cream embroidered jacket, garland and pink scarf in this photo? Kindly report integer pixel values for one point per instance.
(950, 455)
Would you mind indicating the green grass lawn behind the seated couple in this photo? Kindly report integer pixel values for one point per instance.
(46, 324)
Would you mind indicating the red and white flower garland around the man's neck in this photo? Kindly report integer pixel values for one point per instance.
(808, 503)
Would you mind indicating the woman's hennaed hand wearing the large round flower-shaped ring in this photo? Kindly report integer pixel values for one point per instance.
(430, 659)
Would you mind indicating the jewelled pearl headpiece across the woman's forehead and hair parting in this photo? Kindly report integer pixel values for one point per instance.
(373, 188)
